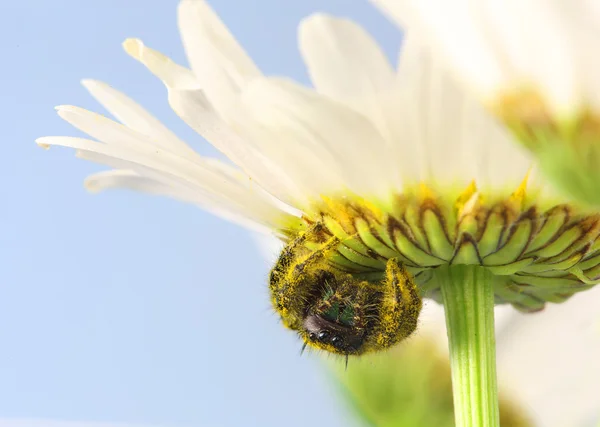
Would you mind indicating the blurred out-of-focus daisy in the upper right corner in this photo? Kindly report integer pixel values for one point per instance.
(533, 64)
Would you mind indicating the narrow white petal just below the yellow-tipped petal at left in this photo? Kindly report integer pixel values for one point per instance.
(132, 115)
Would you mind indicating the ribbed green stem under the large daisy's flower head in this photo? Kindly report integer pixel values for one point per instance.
(468, 297)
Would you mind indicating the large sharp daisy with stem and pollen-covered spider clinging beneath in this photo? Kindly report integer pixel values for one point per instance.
(386, 184)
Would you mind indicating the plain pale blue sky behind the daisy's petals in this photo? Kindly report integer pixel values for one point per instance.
(122, 307)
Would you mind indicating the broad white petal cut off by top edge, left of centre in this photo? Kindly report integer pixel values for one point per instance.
(219, 62)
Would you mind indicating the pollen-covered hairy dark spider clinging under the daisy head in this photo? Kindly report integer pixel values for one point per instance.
(336, 311)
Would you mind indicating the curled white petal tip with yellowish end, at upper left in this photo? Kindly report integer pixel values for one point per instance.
(172, 75)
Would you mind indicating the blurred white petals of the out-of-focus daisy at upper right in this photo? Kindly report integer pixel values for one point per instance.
(497, 46)
